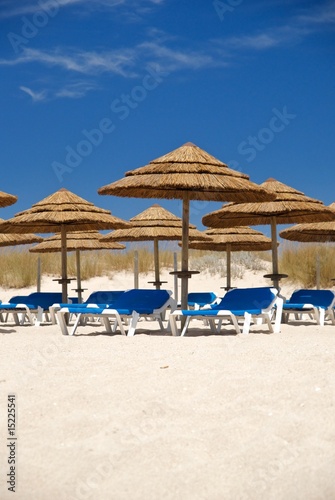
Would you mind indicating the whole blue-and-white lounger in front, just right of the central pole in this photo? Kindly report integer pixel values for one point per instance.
(238, 303)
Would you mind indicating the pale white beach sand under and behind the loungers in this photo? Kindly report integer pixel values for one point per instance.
(158, 417)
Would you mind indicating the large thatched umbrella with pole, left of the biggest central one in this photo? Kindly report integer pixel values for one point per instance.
(61, 212)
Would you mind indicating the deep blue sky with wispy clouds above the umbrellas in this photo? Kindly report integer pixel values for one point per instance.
(90, 90)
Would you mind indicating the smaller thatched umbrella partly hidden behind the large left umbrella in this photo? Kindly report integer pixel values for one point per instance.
(77, 241)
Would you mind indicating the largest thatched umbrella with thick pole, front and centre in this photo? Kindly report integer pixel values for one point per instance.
(186, 173)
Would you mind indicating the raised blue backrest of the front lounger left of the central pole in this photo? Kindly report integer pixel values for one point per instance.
(142, 299)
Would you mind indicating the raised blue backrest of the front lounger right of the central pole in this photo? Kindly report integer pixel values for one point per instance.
(246, 298)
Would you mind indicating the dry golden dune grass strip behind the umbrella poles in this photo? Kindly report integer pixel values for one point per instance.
(299, 261)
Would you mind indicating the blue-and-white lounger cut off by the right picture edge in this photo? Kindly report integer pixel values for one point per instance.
(318, 304)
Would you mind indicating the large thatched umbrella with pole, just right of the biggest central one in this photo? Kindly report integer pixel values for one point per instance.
(289, 206)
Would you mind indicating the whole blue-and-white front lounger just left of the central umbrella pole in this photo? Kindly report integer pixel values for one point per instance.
(130, 306)
